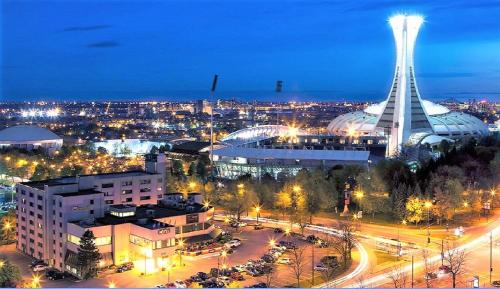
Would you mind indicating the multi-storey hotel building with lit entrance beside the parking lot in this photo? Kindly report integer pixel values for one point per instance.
(128, 213)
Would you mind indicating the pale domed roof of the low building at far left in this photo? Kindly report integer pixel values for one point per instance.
(27, 133)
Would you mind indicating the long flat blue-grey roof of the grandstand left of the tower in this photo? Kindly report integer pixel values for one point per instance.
(299, 154)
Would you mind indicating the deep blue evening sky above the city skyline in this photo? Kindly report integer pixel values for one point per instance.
(325, 50)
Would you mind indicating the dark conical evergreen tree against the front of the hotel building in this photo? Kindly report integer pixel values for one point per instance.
(88, 256)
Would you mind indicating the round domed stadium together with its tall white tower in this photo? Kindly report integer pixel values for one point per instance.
(404, 118)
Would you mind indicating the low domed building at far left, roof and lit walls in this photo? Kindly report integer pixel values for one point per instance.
(30, 137)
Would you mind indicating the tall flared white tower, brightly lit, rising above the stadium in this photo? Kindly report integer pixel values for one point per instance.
(403, 113)
